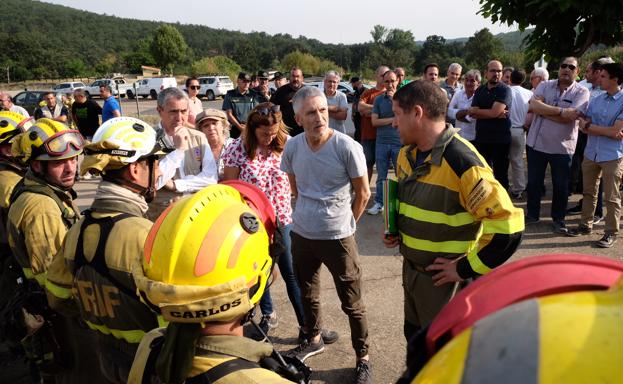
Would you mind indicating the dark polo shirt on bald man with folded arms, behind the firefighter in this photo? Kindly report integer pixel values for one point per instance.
(493, 130)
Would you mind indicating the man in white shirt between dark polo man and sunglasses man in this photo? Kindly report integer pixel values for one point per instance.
(517, 113)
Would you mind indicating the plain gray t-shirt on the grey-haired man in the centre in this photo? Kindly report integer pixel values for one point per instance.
(323, 207)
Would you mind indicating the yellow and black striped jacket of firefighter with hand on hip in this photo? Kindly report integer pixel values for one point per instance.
(450, 206)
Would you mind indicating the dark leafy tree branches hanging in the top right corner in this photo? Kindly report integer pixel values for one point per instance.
(562, 27)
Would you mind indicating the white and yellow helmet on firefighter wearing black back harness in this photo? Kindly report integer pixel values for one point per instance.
(117, 142)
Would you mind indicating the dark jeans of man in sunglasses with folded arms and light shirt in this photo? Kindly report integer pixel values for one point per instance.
(560, 166)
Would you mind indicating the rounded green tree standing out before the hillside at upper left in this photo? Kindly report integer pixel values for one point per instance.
(168, 46)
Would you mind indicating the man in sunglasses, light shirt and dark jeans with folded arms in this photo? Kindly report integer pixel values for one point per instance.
(551, 141)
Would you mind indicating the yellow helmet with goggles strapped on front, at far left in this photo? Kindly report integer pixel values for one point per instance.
(47, 140)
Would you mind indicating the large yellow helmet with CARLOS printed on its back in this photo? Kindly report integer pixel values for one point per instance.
(206, 258)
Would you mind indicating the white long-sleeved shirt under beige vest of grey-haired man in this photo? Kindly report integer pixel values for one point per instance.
(187, 183)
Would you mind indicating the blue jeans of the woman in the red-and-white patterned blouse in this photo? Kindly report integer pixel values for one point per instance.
(287, 273)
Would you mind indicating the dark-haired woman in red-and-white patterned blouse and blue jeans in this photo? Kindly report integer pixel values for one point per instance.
(255, 157)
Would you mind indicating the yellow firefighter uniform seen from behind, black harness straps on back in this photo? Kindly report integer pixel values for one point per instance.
(96, 263)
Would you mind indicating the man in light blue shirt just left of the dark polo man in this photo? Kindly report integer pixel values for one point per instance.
(460, 104)
